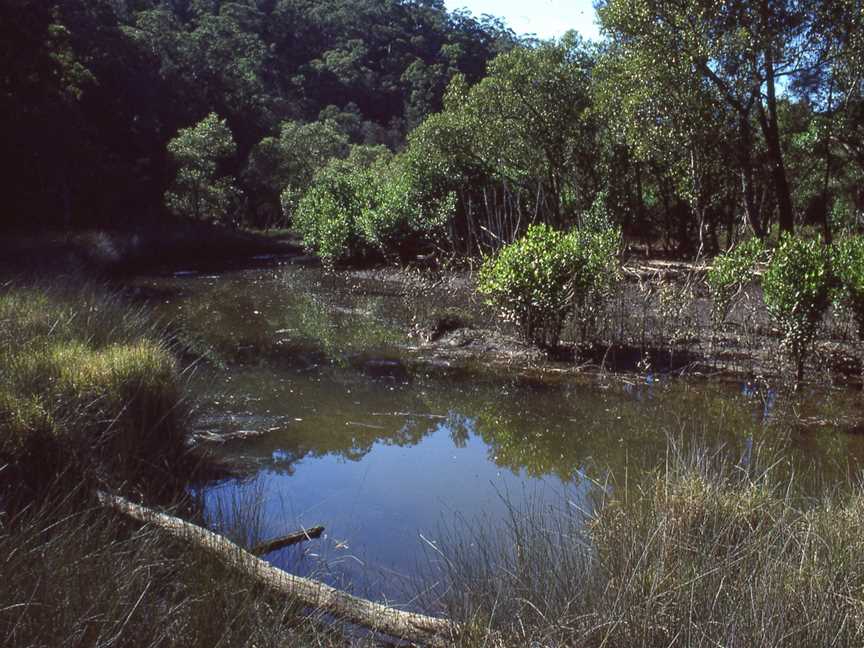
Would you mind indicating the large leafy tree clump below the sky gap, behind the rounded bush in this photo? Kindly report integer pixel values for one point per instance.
(519, 146)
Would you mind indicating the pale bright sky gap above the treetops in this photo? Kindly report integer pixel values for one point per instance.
(546, 18)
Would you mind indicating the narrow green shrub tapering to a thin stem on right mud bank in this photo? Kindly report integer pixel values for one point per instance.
(797, 288)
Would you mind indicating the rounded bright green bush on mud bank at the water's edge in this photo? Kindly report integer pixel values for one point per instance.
(541, 279)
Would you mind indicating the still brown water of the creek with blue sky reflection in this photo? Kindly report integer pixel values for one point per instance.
(349, 422)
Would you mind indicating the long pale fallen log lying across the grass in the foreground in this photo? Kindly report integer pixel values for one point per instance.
(368, 614)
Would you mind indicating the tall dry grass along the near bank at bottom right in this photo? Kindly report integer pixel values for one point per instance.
(705, 555)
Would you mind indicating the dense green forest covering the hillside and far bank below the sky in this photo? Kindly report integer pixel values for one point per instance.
(691, 124)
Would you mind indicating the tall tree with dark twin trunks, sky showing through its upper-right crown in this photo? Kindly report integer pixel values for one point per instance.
(744, 54)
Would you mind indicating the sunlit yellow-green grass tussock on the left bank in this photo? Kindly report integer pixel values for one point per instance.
(88, 386)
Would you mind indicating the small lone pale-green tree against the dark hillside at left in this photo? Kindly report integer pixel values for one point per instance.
(198, 191)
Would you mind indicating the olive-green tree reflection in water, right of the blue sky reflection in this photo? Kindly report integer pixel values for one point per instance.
(548, 433)
